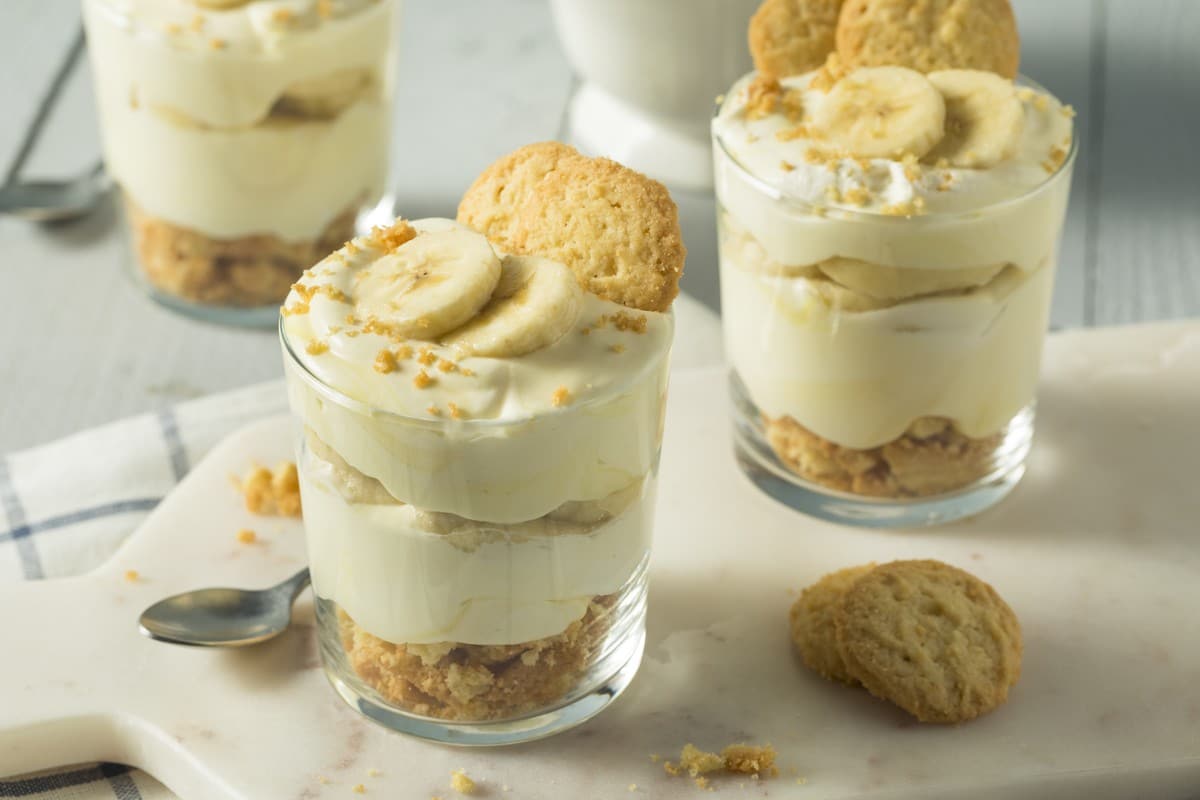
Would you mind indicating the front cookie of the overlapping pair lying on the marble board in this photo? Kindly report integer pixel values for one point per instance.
(934, 640)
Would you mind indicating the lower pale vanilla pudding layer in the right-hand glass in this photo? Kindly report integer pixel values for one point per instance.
(859, 372)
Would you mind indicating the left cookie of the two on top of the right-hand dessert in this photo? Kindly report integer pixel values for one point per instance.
(790, 38)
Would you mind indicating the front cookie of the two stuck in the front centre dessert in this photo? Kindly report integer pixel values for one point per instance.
(617, 230)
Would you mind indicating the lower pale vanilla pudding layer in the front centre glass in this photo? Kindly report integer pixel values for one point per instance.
(410, 576)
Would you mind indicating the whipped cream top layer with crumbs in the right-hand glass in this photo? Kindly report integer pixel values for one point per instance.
(807, 204)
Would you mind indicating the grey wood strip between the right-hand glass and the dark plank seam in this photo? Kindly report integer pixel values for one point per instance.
(1057, 53)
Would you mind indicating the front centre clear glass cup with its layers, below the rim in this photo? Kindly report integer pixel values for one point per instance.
(457, 630)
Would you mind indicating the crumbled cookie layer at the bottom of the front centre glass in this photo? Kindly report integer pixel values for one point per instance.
(476, 683)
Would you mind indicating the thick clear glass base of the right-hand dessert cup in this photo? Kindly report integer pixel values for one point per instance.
(766, 471)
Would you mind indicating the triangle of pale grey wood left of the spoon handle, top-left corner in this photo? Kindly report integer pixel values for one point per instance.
(35, 37)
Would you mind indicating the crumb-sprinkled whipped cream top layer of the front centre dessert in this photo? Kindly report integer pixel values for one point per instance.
(500, 438)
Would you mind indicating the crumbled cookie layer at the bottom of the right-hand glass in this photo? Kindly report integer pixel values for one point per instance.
(931, 459)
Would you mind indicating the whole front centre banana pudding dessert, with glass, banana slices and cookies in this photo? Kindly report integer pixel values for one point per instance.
(481, 432)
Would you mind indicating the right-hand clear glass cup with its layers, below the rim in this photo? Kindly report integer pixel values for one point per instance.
(901, 412)
